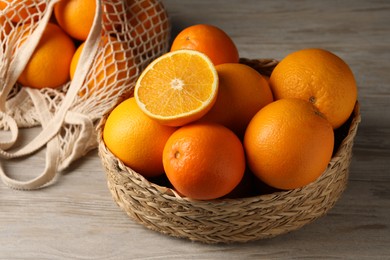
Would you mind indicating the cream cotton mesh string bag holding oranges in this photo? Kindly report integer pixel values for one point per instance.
(124, 38)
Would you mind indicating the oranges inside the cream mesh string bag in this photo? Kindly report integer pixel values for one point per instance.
(55, 59)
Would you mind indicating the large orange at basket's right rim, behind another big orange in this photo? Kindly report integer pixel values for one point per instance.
(320, 77)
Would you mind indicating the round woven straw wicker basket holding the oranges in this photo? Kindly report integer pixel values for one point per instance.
(230, 220)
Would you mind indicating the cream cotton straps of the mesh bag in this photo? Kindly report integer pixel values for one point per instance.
(51, 123)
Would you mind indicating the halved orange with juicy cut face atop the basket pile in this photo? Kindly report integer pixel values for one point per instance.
(178, 87)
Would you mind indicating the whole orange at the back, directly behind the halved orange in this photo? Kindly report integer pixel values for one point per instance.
(210, 40)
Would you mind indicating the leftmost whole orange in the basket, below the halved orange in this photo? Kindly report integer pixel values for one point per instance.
(136, 139)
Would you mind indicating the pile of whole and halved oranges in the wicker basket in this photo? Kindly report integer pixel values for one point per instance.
(212, 125)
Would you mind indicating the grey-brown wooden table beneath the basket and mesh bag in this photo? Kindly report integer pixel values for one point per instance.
(77, 218)
